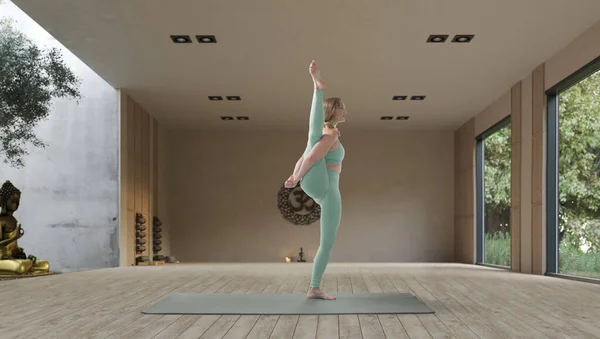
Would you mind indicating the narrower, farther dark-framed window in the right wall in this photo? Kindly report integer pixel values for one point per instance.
(493, 191)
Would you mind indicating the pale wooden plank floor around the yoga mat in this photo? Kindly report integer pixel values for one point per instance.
(469, 301)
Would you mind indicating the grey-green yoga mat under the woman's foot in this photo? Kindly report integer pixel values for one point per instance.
(239, 304)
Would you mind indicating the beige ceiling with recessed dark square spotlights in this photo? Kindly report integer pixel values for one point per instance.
(369, 51)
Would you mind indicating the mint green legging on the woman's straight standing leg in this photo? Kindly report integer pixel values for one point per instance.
(331, 215)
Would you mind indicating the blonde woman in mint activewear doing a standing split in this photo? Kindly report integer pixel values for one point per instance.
(318, 173)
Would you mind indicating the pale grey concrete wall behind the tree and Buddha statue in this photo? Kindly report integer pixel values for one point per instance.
(69, 207)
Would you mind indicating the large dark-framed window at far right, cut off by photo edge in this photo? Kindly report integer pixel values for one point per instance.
(573, 214)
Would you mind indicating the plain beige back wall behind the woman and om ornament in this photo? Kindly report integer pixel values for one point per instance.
(397, 191)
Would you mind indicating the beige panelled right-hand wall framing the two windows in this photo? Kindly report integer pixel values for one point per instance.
(530, 125)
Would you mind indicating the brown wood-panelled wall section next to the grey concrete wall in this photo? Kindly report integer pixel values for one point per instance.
(141, 178)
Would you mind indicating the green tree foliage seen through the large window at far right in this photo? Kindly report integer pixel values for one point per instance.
(579, 161)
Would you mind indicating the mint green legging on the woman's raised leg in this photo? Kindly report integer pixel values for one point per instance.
(316, 182)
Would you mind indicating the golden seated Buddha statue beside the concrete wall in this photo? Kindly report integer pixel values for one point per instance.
(13, 260)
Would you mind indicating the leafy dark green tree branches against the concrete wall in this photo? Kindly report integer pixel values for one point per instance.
(29, 79)
